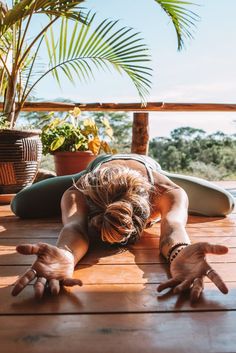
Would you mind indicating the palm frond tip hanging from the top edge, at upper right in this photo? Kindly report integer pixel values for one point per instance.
(183, 19)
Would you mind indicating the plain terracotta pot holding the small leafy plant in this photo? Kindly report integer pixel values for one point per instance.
(67, 163)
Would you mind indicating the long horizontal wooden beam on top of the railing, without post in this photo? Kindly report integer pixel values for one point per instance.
(134, 107)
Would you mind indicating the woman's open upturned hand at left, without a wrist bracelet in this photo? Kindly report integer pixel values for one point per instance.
(53, 265)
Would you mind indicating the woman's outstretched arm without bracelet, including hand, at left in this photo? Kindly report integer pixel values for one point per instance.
(55, 264)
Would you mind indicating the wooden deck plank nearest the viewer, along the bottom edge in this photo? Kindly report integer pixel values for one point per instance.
(133, 333)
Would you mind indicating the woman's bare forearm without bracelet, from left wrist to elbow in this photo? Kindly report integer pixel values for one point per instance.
(73, 239)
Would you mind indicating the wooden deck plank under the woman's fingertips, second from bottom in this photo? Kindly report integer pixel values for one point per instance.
(114, 299)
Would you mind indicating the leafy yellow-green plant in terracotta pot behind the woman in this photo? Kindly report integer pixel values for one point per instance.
(75, 142)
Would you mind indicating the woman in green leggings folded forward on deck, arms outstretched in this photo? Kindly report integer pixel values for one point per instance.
(114, 200)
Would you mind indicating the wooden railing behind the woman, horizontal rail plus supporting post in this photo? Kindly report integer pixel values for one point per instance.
(140, 135)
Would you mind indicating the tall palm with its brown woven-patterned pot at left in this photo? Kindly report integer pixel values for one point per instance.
(75, 51)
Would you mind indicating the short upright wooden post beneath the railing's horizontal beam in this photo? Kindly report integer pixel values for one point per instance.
(140, 134)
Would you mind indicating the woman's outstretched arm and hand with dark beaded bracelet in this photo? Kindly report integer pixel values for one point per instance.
(188, 264)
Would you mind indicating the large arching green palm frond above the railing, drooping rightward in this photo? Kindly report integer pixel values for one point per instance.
(83, 49)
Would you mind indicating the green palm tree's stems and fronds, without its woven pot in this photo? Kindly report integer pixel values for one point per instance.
(77, 52)
